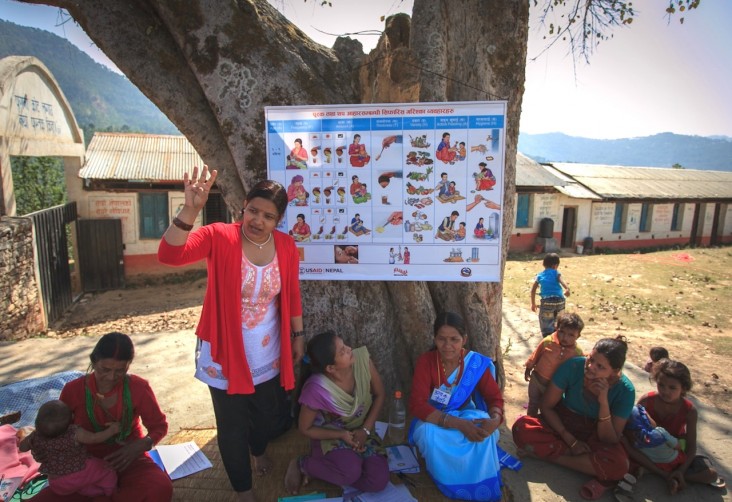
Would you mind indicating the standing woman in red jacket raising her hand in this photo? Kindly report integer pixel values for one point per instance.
(251, 323)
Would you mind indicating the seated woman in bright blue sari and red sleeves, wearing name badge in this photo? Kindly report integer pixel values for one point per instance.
(457, 407)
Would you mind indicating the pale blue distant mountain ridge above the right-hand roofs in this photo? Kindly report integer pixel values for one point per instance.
(659, 150)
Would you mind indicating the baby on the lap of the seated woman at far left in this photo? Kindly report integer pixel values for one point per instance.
(58, 445)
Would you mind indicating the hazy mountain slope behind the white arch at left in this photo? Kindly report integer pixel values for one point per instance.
(99, 97)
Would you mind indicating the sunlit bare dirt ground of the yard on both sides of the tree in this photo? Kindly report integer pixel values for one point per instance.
(162, 317)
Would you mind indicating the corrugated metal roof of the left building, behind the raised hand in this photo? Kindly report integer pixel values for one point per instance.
(139, 157)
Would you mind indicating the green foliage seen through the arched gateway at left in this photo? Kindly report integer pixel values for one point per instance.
(38, 183)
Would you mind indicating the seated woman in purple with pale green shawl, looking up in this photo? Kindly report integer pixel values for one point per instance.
(340, 401)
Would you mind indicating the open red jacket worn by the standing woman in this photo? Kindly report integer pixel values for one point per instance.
(220, 324)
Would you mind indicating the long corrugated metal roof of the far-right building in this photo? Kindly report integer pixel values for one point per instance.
(616, 182)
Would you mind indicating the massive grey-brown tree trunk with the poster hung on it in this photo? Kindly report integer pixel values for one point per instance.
(212, 66)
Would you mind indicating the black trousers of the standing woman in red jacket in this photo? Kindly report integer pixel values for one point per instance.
(245, 424)
